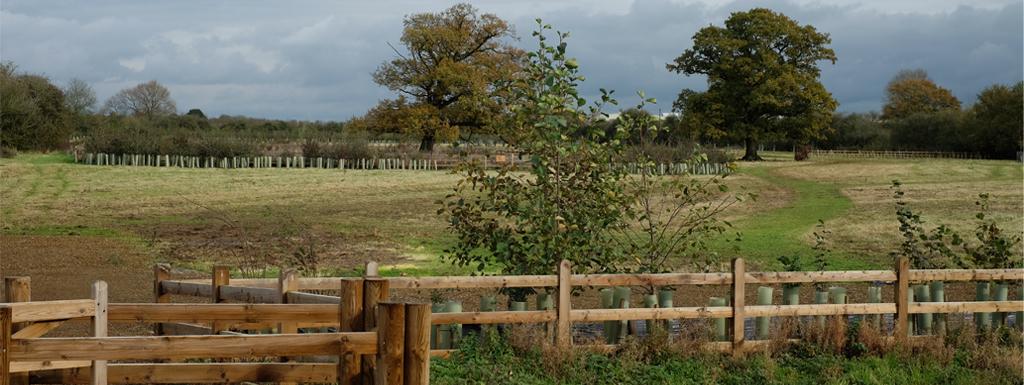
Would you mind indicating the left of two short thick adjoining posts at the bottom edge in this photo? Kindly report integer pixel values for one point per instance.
(391, 344)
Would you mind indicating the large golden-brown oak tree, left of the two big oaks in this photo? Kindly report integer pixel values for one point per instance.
(450, 78)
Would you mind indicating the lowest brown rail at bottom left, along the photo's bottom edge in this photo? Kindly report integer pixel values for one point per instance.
(198, 373)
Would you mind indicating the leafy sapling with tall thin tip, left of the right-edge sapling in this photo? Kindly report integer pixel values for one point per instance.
(925, 249)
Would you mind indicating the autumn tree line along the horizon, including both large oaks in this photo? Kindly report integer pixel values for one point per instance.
(455, 74)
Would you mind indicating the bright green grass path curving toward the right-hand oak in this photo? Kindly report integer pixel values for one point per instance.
(787, 231)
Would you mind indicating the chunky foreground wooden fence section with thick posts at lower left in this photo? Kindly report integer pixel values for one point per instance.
(84, 360)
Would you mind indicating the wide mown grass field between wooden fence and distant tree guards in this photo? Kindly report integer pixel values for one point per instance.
(116, 222)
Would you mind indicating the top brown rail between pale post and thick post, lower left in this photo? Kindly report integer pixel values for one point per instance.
(201, 313)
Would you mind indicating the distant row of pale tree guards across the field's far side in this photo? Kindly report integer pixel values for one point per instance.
(346, 164)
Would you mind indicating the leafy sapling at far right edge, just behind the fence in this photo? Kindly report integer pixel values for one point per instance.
(996, 248)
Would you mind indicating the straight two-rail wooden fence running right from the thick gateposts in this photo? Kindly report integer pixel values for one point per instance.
(564, 315)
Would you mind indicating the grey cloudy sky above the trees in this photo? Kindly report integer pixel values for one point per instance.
(313, 60)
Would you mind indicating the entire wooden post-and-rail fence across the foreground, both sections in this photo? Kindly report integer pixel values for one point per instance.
(285, 306)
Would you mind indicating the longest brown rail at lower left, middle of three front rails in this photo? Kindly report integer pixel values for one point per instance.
(181, 348)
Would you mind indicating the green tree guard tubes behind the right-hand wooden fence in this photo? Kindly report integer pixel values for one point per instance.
(447, 336)
